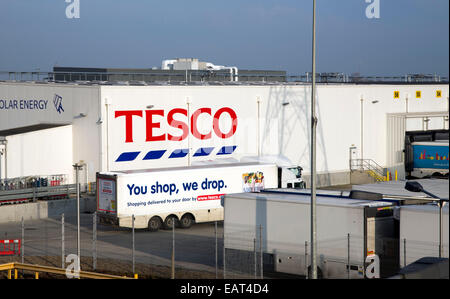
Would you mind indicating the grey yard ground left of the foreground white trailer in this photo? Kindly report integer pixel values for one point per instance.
(195, 248)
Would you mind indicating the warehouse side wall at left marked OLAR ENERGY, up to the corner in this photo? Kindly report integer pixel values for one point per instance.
(77, 105)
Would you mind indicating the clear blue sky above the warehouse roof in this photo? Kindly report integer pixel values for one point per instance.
(411, 36)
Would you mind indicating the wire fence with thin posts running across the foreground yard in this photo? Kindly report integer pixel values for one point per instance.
(203, 251)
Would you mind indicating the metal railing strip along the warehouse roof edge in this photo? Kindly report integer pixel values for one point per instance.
(145, 76)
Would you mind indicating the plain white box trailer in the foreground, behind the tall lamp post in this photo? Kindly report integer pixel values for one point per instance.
(349, 232)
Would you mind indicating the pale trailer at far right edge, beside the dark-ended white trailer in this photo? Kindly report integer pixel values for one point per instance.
(419, 232)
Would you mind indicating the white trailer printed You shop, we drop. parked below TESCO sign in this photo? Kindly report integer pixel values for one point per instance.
(188, 194)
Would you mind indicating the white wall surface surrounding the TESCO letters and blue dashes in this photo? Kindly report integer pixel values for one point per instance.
(271, 120)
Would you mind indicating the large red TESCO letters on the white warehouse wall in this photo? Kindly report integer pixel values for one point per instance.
(153, 120)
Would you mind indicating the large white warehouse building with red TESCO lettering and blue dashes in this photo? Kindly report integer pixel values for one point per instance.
(50, 126)
